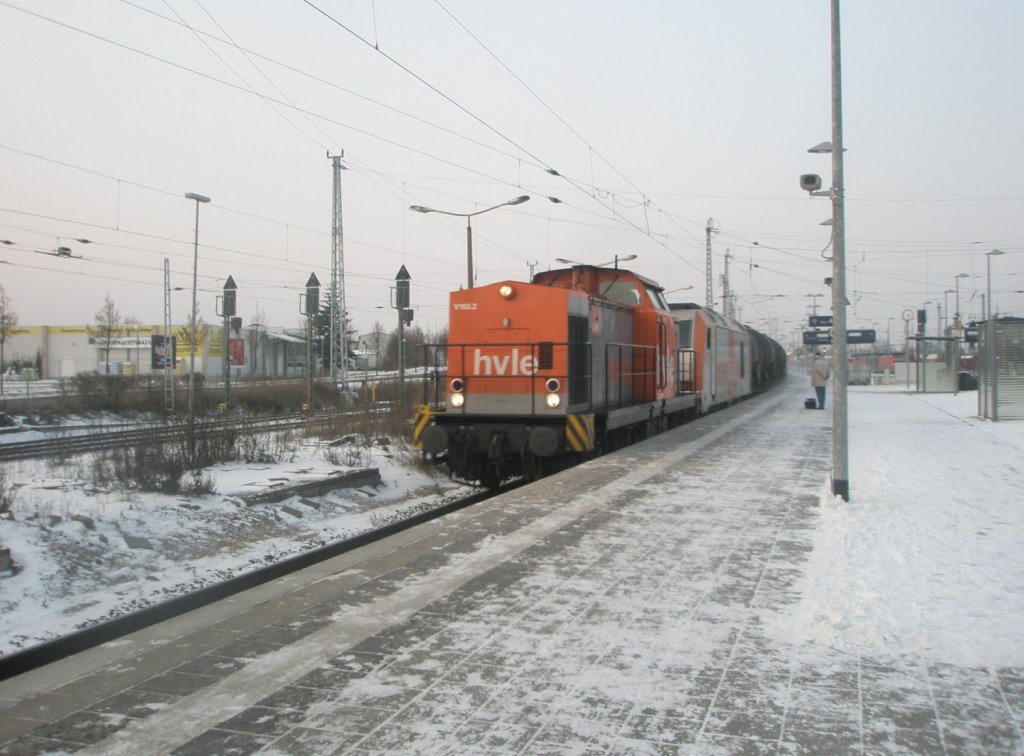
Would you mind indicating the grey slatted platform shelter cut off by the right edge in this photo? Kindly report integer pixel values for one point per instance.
(1001, 370)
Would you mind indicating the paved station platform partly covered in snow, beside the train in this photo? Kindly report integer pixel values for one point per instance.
(698, 594)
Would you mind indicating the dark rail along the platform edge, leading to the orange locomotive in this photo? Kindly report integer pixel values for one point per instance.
(104, 633)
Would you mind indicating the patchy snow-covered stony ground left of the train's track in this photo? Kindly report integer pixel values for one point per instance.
(89, 554)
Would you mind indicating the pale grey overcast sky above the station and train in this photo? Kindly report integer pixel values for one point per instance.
(656, 115)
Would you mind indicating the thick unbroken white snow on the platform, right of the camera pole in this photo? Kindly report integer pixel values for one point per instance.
(926, 558)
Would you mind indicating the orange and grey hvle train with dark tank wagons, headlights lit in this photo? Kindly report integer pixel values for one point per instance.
(539, 375)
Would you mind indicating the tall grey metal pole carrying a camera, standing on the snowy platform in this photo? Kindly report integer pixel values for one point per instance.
(841, 452)
